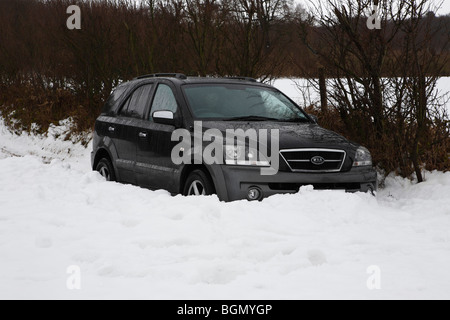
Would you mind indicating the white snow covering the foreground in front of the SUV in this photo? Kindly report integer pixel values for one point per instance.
(130, 242)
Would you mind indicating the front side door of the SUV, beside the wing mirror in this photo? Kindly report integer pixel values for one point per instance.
(154, 164)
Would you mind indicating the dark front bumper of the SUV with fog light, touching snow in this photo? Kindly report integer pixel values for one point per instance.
(233, 182)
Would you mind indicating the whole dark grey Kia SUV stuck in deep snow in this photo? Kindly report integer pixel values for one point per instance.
(133, 140)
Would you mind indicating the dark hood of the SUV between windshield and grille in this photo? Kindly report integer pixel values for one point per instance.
(292, 135)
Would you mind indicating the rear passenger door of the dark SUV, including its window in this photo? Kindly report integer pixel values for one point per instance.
(126, 131)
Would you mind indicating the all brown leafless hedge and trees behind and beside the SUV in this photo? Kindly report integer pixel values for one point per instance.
(48, 73)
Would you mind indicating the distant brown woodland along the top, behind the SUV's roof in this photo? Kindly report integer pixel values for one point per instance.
(121, 39)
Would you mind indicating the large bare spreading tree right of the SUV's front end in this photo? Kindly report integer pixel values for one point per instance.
(363, 78)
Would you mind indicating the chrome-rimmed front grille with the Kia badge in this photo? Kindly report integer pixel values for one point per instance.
(314, 160)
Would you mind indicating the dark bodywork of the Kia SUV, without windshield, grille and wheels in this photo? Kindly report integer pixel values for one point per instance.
(140, 149)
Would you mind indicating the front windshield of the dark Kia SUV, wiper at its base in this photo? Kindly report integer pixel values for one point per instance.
(237, 102)
